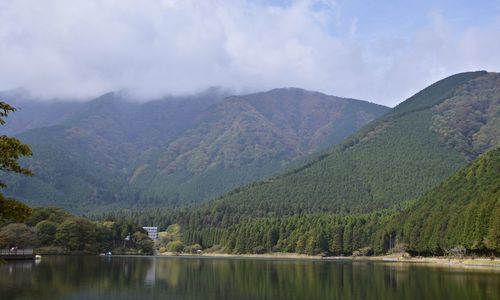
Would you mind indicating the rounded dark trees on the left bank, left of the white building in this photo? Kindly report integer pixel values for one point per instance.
(52, 230)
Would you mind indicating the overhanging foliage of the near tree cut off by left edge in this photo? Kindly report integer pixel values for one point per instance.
(11, 149)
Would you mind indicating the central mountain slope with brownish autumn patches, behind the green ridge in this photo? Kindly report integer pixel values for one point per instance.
(245, 138)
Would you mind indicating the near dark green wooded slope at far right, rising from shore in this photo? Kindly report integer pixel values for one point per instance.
(463, 210)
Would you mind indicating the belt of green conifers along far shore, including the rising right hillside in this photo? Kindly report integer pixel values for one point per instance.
(464, 210)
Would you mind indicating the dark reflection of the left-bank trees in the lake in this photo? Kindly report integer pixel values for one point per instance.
(58, 276)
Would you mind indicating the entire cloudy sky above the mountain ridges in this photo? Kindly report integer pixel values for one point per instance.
(380, 51)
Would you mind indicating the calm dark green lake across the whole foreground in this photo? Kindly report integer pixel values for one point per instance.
(69, 277)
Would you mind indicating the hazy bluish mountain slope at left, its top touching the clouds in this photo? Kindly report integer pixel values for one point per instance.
(83, 162)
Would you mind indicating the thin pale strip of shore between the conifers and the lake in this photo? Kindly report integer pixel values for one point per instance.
(464, 263)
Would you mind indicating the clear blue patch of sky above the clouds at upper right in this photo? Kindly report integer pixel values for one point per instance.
(385, 17)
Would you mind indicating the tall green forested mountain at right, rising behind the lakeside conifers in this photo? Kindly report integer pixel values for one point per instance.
(396, 158)
